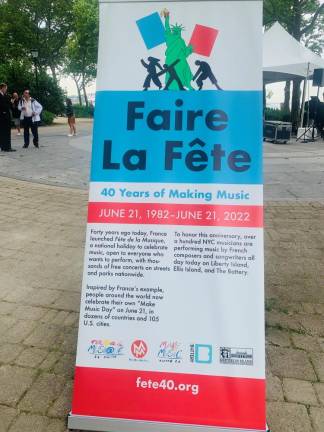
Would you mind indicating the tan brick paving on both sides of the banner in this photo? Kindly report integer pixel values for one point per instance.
(42, 231)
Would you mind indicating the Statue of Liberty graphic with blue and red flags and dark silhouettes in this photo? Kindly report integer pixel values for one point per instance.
(174, 71)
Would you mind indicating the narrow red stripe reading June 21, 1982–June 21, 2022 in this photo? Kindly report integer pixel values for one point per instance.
(168, 214)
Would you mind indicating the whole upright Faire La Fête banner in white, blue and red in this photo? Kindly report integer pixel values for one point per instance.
(171, 334)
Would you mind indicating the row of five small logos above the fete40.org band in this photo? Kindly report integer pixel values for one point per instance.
(171, 352)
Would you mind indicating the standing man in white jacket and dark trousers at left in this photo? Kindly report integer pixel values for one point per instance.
(30, 117)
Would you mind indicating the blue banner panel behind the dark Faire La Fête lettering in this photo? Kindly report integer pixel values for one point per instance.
(243, 132)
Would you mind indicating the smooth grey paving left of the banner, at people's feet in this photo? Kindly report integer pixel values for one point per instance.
(56, 162)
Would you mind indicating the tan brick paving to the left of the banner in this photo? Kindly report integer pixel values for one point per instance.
(42, 232)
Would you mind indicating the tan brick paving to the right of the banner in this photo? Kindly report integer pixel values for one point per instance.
(294, 249)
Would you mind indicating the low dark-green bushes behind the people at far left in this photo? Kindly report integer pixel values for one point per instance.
(20, 76)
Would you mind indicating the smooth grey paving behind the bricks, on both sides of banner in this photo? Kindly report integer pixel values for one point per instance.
(292, 171)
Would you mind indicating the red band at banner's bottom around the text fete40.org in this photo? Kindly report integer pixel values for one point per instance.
(221, 401)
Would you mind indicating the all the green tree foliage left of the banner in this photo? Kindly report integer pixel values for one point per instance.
(65, 34)
